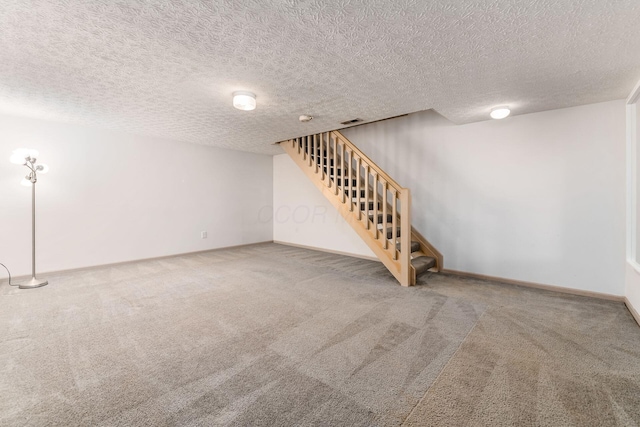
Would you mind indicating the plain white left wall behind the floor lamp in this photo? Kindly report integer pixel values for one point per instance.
(112, 197)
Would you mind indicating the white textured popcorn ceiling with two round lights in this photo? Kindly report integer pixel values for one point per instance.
(168, 68)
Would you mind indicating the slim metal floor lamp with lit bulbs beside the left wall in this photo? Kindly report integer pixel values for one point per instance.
(27, 157)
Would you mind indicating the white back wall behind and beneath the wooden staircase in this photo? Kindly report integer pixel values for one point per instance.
(537, 198)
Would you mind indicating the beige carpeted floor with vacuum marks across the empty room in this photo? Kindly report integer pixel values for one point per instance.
(270, 335)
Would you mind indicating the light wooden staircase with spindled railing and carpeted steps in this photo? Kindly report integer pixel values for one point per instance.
(375, 206)
